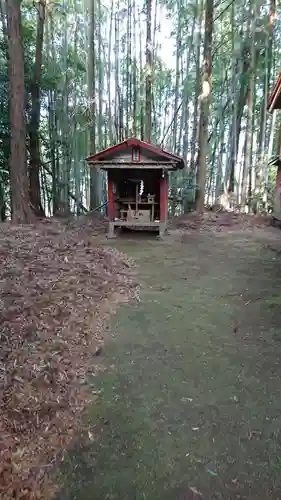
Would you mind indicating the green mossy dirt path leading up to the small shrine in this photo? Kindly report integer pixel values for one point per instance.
(191, 400)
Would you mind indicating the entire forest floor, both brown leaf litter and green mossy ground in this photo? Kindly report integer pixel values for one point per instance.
(181, 402)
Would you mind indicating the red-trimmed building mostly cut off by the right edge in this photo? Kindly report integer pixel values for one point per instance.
(274, 103)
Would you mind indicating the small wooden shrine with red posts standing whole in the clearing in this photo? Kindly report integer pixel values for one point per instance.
(137, 183)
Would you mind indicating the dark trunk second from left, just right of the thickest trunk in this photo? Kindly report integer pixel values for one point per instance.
(34, 166)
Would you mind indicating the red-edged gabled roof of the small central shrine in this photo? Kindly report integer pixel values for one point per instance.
(143, 146)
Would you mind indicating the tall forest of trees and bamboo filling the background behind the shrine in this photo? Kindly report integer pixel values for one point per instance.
(190, 76)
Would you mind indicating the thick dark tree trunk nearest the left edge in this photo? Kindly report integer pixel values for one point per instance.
(21, 212)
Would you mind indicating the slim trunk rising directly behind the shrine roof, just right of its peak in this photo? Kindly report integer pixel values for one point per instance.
(148, 71)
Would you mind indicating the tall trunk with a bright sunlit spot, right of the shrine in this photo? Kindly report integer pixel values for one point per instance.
(204, 107)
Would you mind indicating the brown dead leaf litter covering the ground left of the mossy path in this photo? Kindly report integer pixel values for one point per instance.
(57, 288)
